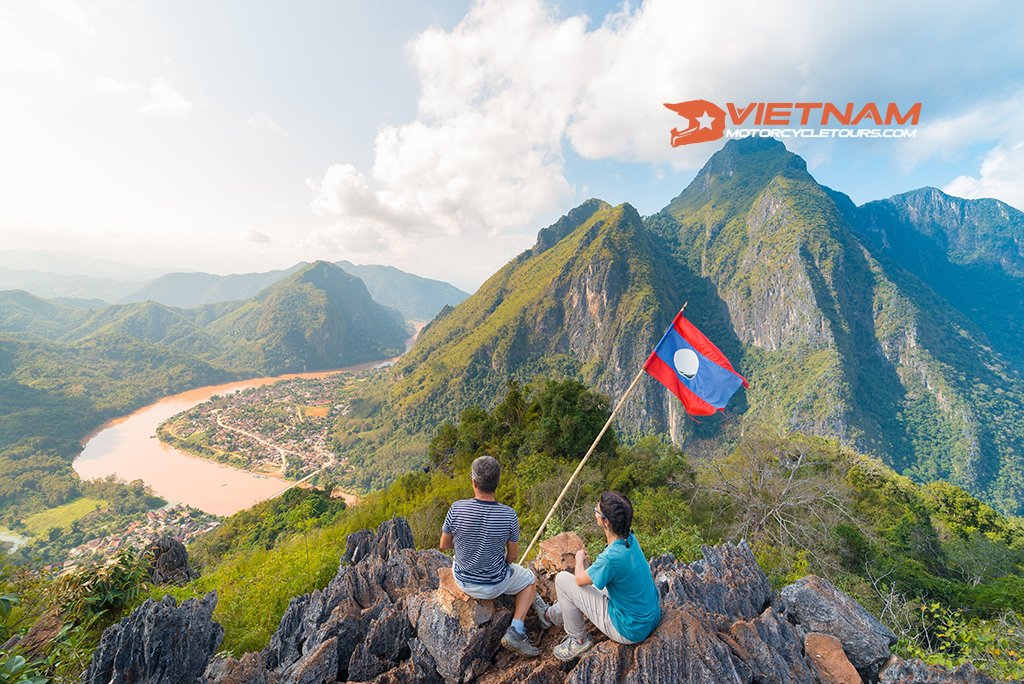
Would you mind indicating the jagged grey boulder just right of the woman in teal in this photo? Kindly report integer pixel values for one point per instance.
(728, 581)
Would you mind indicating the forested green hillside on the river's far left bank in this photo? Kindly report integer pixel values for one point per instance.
(66, 368)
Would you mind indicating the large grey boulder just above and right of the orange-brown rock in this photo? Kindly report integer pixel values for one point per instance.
(819, 607)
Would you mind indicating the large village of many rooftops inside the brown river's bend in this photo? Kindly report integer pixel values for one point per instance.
(281, 430)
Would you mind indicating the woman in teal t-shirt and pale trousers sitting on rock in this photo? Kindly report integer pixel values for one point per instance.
(617, 593)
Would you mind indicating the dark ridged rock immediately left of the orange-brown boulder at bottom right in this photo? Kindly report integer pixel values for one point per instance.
(772, 649)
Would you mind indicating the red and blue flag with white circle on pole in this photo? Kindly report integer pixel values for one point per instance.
(694, 369)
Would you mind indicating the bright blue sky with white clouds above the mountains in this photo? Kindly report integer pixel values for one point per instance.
(237, 137)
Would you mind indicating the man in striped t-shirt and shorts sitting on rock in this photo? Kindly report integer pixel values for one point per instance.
(486, 538)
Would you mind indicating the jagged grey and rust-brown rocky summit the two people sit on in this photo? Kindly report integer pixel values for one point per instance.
(393, 616)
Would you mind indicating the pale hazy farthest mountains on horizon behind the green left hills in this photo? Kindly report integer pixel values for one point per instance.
(418, 298)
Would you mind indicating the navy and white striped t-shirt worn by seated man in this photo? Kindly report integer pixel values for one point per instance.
(481, 530)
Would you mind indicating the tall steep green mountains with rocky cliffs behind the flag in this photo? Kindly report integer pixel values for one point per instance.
(893, 327)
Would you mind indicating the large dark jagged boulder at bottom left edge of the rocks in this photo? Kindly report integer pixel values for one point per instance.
(159, 644)
